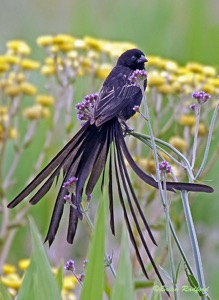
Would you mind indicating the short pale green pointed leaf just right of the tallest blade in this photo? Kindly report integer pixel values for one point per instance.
(123, 287)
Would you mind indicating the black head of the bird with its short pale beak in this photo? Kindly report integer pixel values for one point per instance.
(134, 59)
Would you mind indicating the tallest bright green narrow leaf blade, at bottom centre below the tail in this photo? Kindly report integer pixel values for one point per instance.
(94, 274)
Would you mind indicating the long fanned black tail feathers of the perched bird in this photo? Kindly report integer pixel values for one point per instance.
(85, 157)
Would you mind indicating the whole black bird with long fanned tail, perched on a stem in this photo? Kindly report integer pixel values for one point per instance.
(99, 141)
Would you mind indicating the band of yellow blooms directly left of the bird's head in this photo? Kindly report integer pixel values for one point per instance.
(78, 57)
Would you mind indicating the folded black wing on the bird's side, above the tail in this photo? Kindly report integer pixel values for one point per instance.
(115, 95)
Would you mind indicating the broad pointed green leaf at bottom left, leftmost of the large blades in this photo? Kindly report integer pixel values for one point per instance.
(39, 282)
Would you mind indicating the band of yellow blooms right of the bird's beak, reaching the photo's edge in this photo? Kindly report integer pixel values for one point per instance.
(169, 78)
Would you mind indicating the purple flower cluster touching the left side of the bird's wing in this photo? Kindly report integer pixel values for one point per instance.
(86, 107)
